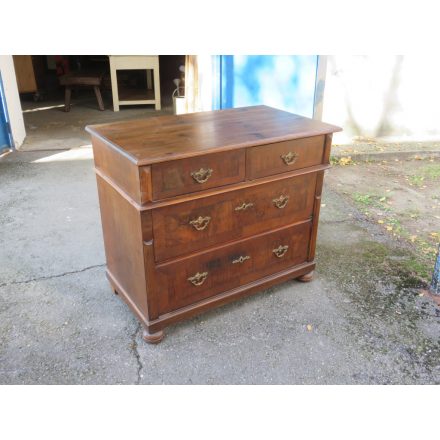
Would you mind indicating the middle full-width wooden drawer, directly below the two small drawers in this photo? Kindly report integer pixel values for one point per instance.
(190, 226)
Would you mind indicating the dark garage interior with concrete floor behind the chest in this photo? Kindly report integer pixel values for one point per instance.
(50, 127)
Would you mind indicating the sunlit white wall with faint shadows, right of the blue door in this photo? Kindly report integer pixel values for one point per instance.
(385, 98)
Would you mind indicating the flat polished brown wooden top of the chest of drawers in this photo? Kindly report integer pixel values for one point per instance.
(164, 138)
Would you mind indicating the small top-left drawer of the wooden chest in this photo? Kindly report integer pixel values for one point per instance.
(197, 173)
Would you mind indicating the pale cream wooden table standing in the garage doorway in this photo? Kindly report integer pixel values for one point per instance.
(150, 63)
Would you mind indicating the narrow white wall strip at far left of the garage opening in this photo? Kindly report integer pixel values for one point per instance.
(12, 99)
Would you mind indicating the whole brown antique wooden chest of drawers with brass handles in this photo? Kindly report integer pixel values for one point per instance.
(200, 209)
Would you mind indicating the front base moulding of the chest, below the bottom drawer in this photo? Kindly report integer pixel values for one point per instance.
(229, 296)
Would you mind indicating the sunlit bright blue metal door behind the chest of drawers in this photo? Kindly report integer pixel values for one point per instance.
(286, 82)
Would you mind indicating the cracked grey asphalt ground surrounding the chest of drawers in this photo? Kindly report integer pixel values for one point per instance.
(360, 321)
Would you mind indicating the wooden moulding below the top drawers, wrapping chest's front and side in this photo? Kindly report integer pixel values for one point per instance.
(210, 192)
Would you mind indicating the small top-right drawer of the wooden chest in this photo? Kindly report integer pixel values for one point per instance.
(281, 157)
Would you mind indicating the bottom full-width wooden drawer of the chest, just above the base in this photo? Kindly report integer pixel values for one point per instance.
(197, 277)
